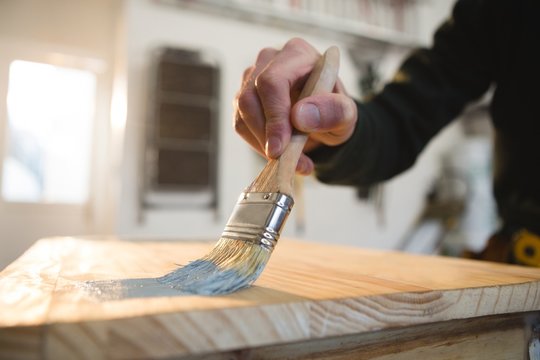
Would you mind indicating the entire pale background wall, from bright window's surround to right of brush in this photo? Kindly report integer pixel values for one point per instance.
(121, 34)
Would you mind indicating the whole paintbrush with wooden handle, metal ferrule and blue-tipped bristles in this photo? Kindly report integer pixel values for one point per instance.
(255, 224)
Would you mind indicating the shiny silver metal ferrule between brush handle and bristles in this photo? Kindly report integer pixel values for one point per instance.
(259, 218)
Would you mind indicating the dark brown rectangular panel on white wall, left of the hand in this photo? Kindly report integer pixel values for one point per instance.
(181, 150)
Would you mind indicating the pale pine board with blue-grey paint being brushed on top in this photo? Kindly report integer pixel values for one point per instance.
(307, 292)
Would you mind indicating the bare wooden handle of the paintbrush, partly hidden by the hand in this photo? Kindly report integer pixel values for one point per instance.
(278, 174)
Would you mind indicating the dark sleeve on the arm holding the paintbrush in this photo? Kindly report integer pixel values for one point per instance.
(430, 89)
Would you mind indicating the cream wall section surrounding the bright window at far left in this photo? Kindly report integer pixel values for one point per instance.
(64, 32)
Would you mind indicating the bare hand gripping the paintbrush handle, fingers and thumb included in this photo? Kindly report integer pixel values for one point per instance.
(266, 112)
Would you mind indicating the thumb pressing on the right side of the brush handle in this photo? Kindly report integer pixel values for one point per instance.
(330, 119)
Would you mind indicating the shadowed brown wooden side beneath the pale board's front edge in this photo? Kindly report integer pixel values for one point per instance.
(491, 338)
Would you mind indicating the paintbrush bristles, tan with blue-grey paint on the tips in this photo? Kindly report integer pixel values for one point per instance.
(230, 266)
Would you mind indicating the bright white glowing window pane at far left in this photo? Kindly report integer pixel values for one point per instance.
(50, 123)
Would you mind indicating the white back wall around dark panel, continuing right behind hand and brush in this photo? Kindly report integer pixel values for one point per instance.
(333, 214)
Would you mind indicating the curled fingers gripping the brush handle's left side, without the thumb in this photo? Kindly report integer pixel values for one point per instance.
(263, 104)
